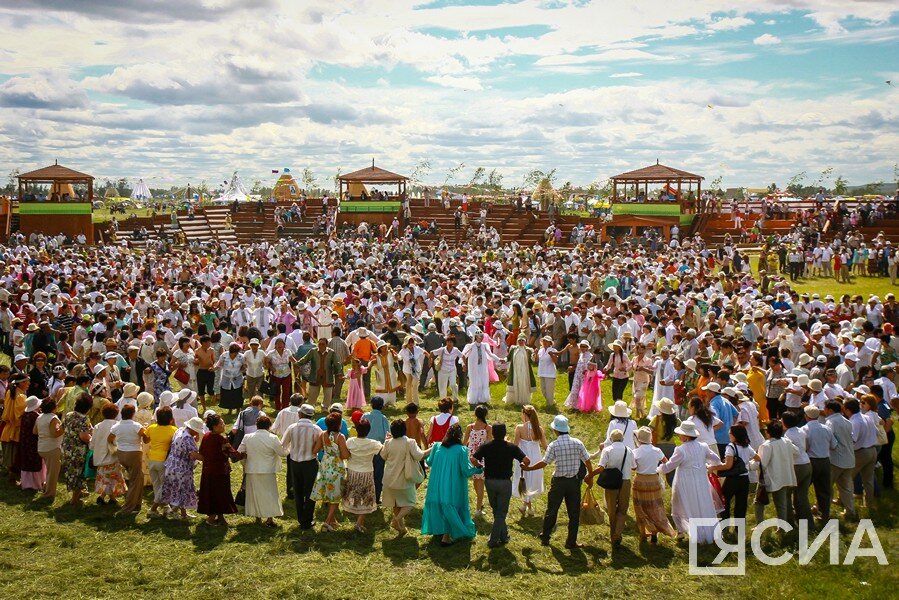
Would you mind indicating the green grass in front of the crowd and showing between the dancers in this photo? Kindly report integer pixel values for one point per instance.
(90, 553)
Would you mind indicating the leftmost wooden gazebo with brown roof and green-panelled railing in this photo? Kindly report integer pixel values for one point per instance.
(61, 209)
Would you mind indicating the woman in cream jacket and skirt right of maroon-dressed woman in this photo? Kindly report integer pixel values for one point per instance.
(262, 452)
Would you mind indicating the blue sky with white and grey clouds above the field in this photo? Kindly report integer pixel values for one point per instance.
(177, 90)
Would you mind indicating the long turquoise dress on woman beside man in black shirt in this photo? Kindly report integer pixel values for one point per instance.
(446, 502)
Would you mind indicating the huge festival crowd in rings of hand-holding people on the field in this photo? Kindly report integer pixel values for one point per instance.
(129, 368)
